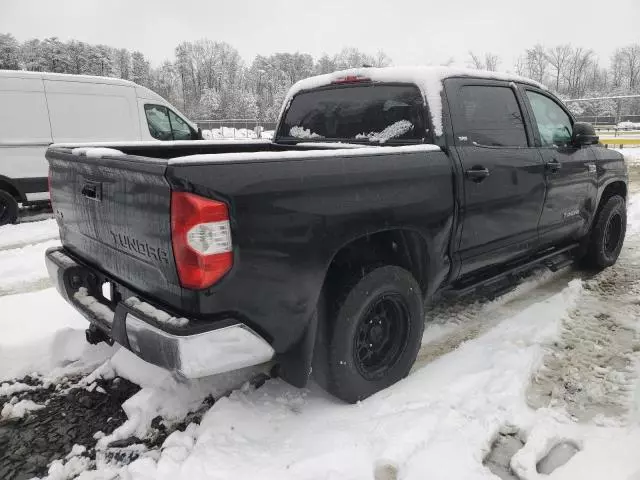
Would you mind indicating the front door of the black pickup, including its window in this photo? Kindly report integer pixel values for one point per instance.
(570, 172)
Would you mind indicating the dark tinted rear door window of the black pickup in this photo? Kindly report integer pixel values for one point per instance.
(489, 116)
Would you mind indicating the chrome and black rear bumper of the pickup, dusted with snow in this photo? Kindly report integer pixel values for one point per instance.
(136, 324)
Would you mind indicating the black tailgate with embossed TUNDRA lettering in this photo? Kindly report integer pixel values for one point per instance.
(114, 213)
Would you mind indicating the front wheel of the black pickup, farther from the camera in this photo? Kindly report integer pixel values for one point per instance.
(607, 234)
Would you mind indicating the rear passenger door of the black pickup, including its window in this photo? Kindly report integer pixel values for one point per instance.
(503, 173)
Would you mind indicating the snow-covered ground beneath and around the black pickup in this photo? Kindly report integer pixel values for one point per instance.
(555, 362)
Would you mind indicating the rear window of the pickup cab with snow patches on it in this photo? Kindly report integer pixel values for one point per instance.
(363, 114)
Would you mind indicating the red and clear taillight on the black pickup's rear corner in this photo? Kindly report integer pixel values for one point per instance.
(201, 238)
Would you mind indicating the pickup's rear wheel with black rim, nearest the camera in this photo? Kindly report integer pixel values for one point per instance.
(376, 332)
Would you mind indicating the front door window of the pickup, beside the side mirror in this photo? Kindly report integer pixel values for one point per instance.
(554, 124)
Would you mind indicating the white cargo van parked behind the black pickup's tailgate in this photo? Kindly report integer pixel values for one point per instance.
(37, 109)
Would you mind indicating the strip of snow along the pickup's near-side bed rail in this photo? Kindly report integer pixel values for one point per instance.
(299, 154)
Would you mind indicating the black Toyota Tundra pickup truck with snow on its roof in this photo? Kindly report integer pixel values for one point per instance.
(383, 191)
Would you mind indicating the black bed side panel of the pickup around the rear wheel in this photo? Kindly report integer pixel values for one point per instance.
(289, 218)
